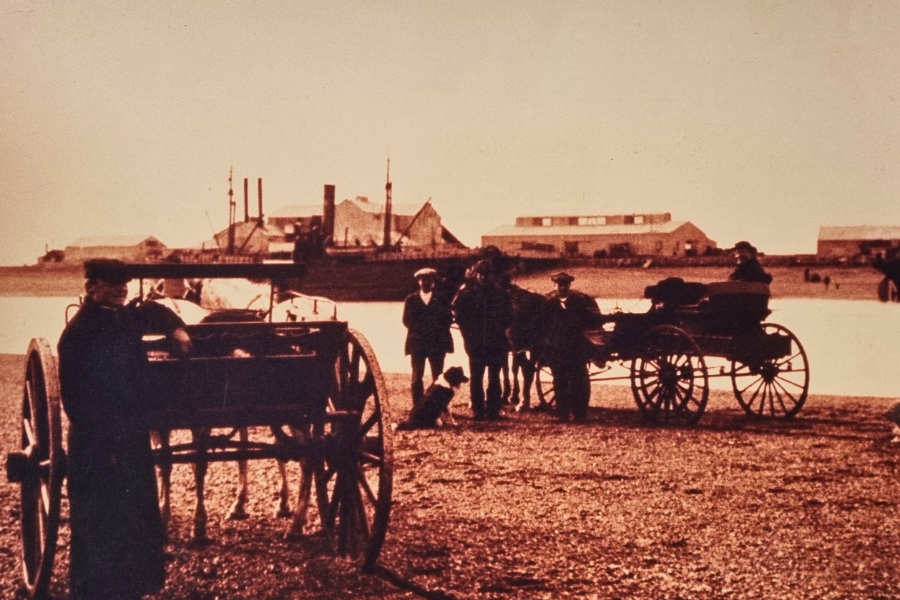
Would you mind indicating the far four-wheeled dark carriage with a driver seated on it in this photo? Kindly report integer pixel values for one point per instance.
(669, 352)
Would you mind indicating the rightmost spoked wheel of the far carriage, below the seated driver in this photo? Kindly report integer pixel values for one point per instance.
(775, 387)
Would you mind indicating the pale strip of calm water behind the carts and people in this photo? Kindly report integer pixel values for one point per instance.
(852, 345)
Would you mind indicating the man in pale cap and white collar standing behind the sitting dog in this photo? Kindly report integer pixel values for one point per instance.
(427, 317)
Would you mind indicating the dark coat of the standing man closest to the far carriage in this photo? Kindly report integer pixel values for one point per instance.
(564, 339)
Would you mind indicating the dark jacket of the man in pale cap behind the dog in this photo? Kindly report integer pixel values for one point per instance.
(428, 325)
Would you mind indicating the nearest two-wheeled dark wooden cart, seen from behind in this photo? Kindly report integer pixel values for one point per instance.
(311, 380)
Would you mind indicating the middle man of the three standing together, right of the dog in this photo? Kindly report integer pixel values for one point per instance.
(483, 312)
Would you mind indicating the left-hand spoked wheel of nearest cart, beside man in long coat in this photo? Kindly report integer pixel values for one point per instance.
(39, 467)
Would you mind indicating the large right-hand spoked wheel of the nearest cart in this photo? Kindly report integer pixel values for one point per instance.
(354, 477)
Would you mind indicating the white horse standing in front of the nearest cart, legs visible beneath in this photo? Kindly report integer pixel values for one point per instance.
(220, 294)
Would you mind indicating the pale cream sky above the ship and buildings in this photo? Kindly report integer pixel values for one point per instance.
(753, 119)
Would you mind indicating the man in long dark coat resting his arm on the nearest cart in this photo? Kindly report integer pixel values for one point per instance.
(117, 534)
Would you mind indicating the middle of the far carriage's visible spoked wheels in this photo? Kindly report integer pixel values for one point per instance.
(670, 382)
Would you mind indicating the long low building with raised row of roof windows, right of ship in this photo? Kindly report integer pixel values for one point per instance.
(601, 236)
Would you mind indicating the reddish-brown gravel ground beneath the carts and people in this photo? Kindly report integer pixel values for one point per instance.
(526, 508)
